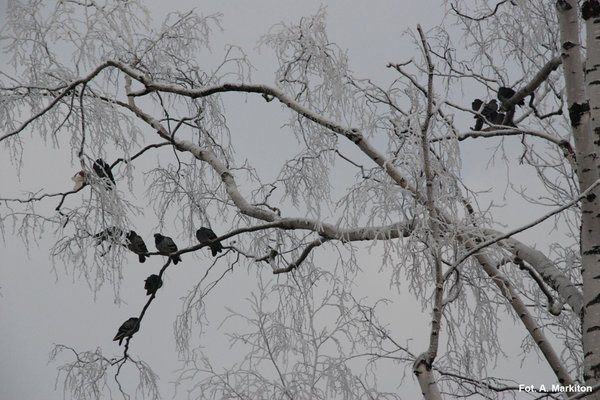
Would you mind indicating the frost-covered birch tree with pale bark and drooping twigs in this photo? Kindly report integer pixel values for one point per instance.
(366, 167)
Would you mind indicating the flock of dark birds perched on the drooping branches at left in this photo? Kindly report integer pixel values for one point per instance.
(134, 242)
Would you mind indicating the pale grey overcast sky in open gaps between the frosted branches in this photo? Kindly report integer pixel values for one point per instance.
(38, 310)
